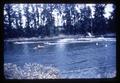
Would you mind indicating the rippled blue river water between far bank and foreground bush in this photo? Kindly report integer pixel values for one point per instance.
(74, 59)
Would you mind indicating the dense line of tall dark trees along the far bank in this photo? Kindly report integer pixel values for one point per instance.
(40, 21)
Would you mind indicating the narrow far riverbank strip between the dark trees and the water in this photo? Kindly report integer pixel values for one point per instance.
(58, 37)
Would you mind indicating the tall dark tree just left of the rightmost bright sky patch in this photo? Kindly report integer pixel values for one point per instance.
(99, 23)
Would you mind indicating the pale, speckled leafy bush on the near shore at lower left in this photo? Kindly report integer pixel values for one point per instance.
(29, 71)
